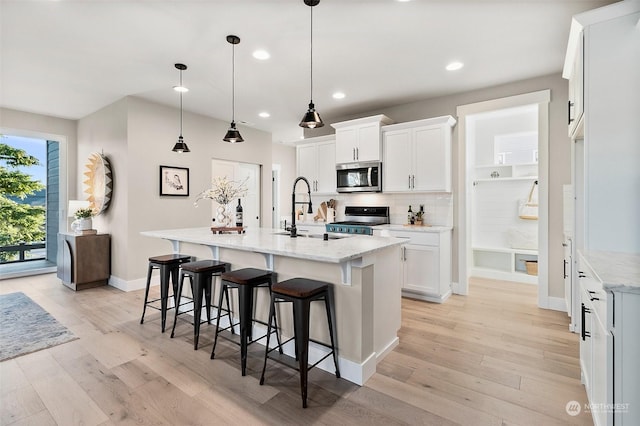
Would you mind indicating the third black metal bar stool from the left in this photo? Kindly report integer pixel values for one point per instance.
(245, 280)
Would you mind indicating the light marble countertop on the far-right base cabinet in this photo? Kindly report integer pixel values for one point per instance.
(617, 271)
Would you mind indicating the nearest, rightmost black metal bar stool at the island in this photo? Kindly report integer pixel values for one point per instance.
(301, 292)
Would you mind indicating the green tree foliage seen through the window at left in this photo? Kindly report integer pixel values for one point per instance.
(18, 222)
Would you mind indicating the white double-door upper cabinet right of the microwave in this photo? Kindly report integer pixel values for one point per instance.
(417, 155)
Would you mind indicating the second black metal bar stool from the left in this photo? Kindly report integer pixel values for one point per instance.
(201, 274)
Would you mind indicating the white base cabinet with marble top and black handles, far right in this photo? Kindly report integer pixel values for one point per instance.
(610, 342)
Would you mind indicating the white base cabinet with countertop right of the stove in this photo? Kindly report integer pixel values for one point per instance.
(426, 264)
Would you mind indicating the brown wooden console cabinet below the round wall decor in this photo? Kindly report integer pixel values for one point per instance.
(84, 261)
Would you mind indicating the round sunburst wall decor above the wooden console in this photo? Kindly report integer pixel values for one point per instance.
(98, 184)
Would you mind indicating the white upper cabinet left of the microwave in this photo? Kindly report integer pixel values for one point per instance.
(316, 162)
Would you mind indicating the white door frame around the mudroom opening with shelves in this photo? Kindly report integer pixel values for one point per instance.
(467, 176)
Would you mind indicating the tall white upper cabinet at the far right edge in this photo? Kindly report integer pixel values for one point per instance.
(606, 153)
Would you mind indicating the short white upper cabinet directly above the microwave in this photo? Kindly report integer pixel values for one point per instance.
(359, 140)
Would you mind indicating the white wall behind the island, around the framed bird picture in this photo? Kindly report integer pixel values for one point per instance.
(137, 136)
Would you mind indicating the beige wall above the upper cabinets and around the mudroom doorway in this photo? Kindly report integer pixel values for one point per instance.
(559, 149)
